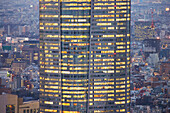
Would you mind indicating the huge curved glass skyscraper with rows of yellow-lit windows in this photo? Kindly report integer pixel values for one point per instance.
(84, 56)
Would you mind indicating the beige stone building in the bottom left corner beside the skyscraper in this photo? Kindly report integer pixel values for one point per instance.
(12, 104)
